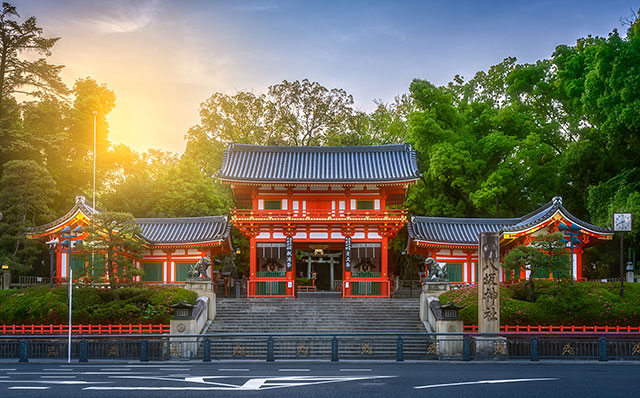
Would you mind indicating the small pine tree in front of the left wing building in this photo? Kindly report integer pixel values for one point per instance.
(117, 235)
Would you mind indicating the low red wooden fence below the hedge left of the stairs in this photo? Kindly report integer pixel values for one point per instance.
(84, 329)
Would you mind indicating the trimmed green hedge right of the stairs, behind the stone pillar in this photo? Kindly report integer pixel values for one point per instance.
(557, 303)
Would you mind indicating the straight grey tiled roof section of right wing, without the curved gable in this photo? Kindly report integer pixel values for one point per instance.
(455, 230)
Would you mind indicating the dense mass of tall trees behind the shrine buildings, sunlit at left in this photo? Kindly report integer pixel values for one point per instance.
(499, 144)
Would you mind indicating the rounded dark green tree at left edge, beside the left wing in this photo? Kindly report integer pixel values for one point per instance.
(26, 195)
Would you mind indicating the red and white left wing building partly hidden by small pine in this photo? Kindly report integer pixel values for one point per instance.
(171, 245)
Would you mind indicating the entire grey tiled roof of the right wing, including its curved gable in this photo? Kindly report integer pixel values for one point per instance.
(466, 230)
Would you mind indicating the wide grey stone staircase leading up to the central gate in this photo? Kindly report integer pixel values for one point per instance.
(320, 314)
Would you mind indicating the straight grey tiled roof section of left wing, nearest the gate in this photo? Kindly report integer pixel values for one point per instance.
(184, 229)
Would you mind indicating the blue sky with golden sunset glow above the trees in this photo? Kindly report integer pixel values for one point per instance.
(163, 58)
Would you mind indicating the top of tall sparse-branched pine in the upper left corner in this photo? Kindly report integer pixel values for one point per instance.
(21, 75)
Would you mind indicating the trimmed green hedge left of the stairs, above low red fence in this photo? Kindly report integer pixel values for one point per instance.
(41, 305)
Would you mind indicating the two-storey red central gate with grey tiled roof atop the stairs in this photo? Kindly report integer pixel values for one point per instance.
(323, 213)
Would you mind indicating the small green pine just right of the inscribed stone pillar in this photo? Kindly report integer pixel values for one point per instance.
(546, 255)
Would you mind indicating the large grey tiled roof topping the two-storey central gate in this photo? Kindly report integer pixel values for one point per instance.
(382, 163)
